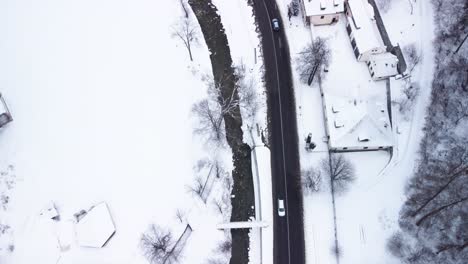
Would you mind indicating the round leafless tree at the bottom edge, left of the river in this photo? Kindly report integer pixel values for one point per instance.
(156, 244)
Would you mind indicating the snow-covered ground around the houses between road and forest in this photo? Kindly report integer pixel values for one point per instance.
(367, 214)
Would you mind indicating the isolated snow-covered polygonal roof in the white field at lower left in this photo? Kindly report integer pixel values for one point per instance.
(96, 228)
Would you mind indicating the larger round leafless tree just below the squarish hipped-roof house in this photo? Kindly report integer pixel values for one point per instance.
(340, 170)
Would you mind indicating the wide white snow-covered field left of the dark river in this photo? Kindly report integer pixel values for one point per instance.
(101, 95)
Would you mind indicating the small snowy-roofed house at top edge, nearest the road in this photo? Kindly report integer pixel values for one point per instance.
(322, 12)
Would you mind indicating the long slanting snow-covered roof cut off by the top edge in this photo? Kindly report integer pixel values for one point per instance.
(365, 30)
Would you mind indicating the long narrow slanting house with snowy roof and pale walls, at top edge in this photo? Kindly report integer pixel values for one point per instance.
(362, 30)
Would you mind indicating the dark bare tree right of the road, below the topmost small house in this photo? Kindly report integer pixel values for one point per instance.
(312, 58)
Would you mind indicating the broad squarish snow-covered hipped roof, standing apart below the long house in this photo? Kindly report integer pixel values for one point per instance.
(362, 123)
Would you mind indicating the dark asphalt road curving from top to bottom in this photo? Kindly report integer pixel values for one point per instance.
(288, 230)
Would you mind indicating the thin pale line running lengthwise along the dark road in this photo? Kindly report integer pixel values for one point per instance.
(282, 135)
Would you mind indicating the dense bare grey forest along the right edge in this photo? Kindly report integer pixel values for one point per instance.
(434, 218)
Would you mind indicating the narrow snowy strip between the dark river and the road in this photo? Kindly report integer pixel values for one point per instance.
(239, 23)
